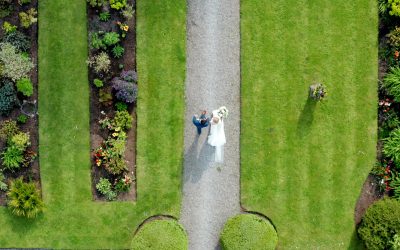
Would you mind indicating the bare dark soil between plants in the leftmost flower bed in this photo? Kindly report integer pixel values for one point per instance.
(31, 173)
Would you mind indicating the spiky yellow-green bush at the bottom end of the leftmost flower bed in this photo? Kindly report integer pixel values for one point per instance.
(24, 199)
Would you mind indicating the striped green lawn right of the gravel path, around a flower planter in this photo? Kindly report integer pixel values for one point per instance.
(304, 163)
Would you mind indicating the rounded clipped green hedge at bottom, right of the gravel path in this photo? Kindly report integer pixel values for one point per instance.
(248, 231)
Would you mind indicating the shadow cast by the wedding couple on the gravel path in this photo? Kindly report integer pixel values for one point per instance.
(197, 160)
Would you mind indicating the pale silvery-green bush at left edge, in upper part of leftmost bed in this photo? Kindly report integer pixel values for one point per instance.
(15, 65)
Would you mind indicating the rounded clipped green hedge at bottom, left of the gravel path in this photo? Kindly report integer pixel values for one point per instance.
(166, 234)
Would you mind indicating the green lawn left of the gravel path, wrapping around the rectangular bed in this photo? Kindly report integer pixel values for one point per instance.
(72, 220)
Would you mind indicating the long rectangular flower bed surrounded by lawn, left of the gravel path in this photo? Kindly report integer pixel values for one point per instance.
(113, 84)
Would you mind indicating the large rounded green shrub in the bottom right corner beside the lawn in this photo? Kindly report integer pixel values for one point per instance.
(380, 223)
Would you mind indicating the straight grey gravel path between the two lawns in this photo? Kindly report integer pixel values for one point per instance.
(211, 190)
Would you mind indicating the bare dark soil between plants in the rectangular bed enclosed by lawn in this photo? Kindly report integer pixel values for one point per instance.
(99, 110)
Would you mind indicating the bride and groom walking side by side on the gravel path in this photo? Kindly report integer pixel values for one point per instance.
(216, 138)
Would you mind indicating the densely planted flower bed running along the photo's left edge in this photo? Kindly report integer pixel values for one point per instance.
(18, 93)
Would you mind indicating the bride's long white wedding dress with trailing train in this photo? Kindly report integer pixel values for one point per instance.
(217, 137)
